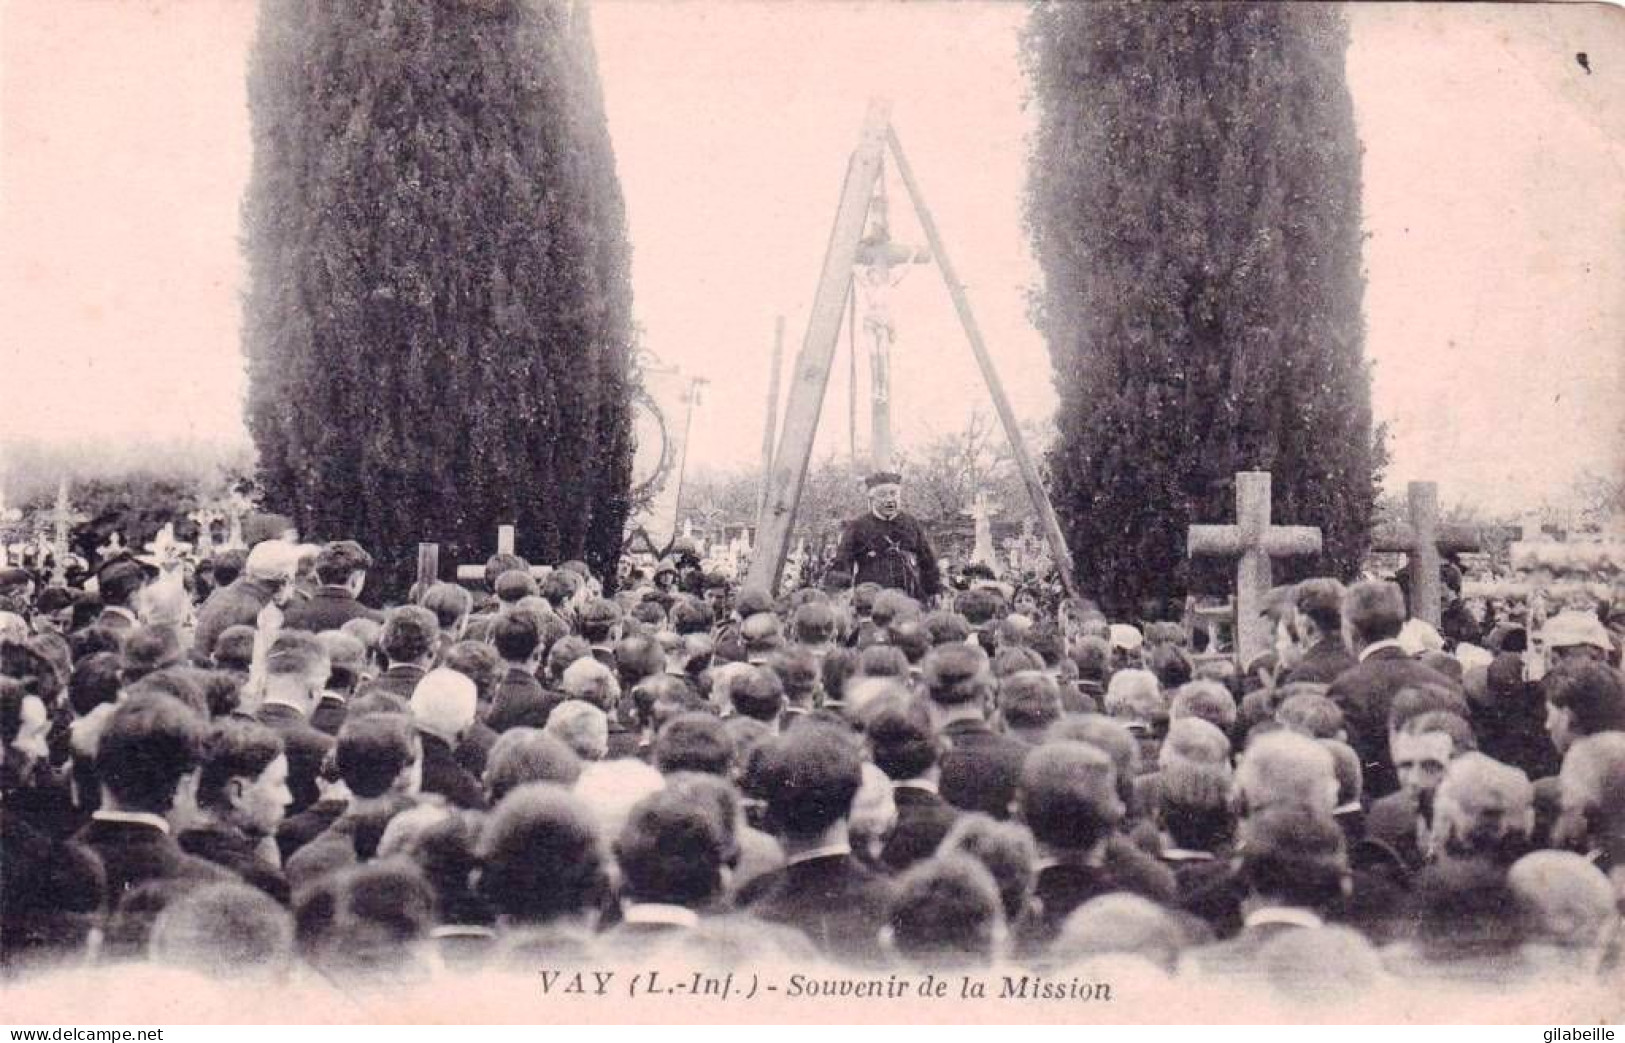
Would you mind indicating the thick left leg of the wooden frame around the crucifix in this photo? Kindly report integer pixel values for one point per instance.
(818, 352)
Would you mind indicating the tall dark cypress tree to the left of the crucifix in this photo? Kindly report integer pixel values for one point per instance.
(438, 324)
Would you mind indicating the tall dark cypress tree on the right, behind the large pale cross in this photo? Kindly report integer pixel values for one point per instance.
(1195, 207)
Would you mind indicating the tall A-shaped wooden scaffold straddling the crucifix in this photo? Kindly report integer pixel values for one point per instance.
(810, 378)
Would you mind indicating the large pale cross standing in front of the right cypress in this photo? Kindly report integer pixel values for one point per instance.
(1254, 542)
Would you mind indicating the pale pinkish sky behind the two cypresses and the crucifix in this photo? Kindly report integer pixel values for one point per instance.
(1493, 171)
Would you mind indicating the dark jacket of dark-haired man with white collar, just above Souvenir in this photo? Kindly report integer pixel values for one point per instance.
(834, 901)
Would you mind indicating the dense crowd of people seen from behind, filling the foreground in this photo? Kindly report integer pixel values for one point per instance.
(277, 781)
